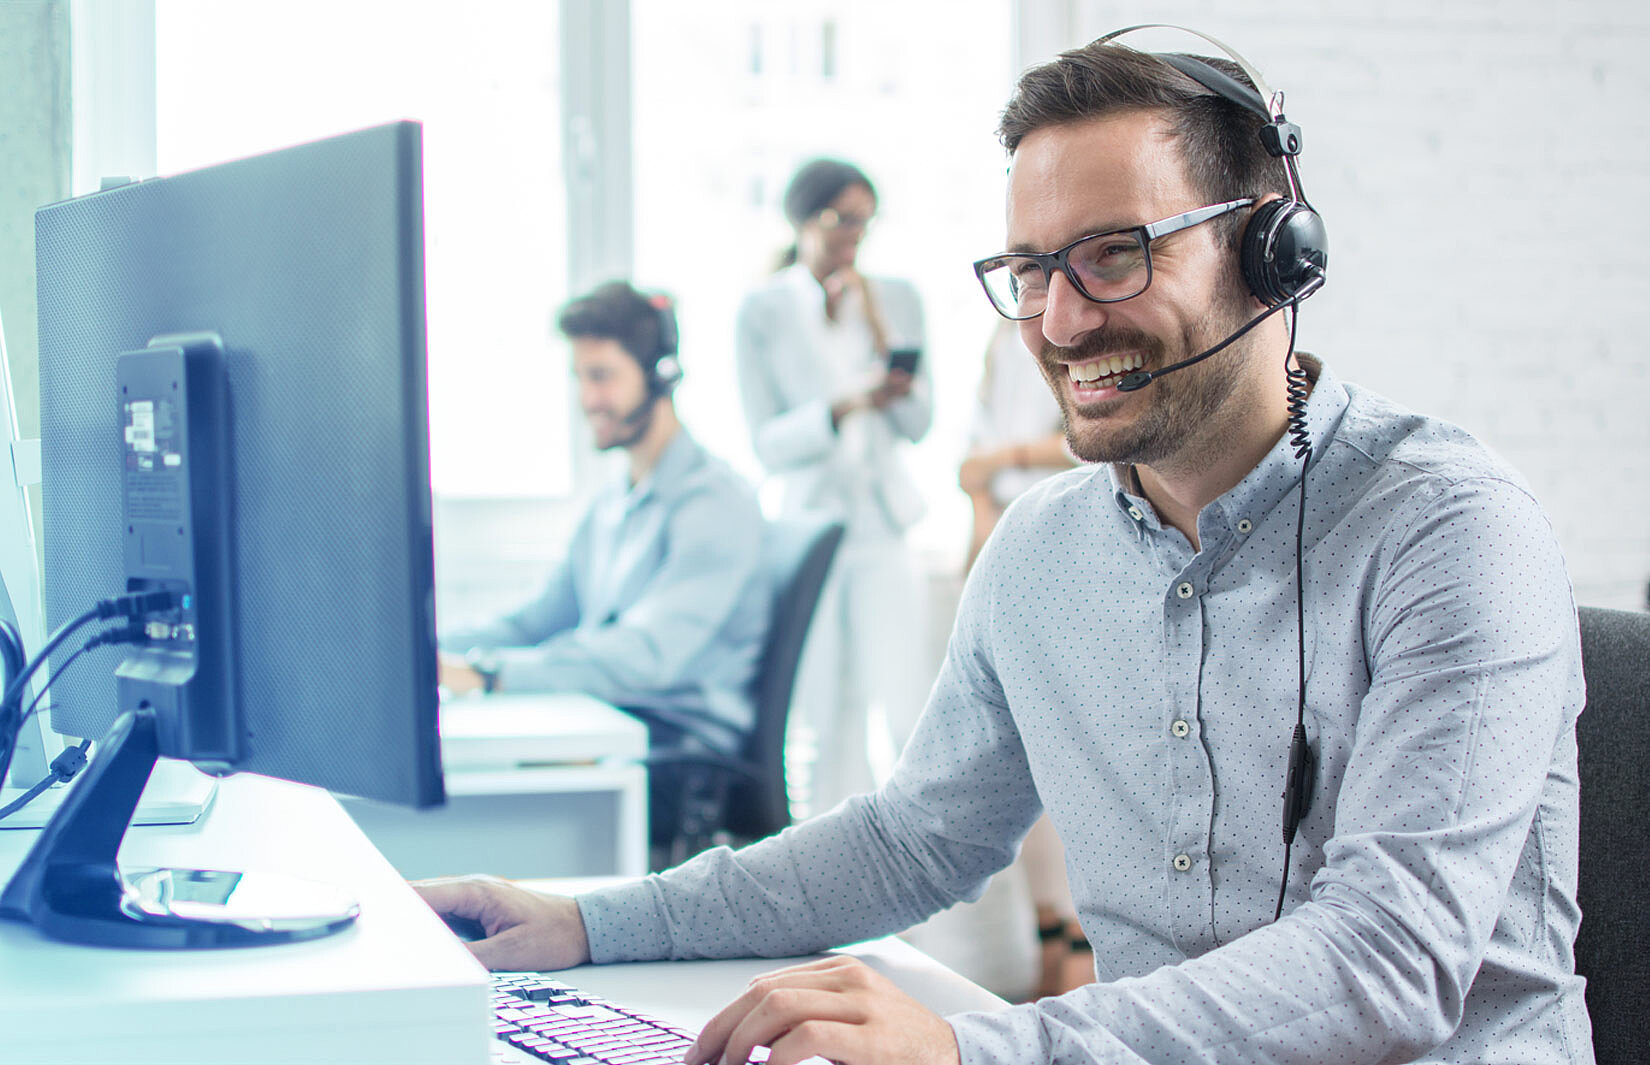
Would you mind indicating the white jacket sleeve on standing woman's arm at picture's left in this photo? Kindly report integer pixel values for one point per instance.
(783, 437)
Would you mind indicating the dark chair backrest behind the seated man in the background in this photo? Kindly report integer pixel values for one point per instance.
(796, 557)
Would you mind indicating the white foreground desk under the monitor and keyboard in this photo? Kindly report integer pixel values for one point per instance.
(394, 988)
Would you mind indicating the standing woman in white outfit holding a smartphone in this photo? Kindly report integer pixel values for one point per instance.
(834, 382)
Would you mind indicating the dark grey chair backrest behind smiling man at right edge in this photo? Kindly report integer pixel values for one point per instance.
(1613, 736)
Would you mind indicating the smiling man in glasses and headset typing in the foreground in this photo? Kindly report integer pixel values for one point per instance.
(1276, 584)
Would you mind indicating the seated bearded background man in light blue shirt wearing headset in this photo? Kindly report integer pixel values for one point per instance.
(658, 602)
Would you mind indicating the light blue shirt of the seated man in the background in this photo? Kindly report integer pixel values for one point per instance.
(658, 603)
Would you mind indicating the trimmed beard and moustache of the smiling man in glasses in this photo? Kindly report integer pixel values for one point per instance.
(1186, 400)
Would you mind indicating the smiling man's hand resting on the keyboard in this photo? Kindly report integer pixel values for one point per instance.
(837, 1010)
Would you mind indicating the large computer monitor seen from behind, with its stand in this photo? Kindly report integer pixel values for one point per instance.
(233, 414)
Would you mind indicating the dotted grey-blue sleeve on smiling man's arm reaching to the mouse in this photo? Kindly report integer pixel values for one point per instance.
(877, 864)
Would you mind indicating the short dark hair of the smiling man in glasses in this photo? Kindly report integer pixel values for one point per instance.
(1219, 140)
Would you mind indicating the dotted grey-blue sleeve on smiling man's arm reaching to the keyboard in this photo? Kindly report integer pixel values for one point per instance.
(1474, 686)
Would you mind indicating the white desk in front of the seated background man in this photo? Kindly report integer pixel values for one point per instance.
(539, 785)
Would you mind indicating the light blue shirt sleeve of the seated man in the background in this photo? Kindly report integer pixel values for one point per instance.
(714, 551)
